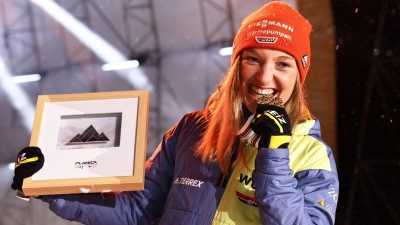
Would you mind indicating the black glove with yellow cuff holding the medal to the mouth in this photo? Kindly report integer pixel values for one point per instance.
(273, 125)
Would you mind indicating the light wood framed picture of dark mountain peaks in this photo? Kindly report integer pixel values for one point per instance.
(92, 142)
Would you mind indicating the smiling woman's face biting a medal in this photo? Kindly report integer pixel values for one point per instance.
(266, 71)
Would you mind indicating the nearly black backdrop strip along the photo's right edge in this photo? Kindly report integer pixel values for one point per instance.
(368, 101)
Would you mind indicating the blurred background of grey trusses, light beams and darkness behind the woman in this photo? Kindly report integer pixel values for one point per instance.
(64, 46)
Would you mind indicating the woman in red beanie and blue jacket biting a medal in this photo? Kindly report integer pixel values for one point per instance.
(237, 161)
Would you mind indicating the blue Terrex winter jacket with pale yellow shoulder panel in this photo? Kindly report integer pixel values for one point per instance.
(296, 186)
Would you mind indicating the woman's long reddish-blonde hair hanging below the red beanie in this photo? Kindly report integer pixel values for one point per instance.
(224, 116)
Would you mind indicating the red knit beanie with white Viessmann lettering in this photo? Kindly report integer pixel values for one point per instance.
(278, 26)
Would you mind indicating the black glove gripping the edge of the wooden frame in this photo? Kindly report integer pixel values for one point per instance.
(29, 161)
